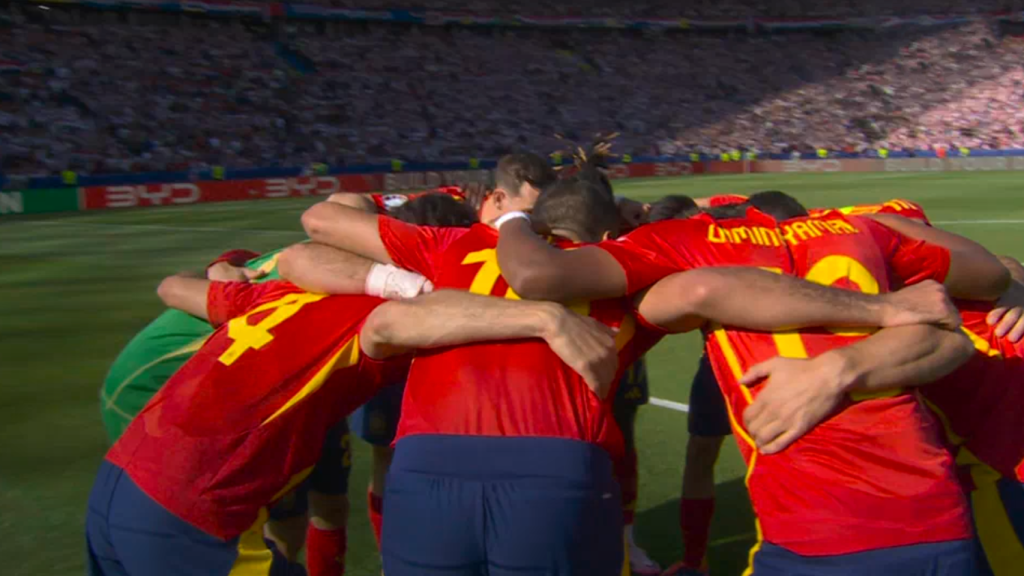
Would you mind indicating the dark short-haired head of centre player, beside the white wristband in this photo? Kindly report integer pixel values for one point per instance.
(579, 207)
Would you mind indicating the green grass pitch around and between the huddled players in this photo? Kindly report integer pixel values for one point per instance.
(74, 289)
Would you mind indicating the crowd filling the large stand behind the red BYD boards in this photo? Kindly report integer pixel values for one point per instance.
(117, 98)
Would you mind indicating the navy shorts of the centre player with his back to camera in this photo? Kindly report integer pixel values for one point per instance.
(524, 507)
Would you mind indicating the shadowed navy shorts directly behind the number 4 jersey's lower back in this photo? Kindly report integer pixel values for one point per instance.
(330, 476)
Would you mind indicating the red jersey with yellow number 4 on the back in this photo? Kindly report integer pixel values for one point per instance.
(242, 423)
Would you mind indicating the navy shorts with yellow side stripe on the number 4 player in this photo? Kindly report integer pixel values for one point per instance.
(130, 534)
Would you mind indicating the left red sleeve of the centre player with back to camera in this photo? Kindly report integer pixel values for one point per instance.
(414, 248)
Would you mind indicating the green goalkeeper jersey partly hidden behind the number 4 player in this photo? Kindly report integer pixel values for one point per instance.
(155, 355)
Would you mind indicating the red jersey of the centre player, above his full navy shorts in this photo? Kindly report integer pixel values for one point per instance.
(502, 389)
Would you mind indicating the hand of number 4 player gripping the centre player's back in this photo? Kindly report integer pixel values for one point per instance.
(586, 346)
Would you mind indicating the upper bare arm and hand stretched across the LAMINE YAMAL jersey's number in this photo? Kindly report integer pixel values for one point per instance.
(682, 302)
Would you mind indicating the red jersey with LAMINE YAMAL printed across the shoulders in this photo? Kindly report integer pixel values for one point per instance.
(876, 474)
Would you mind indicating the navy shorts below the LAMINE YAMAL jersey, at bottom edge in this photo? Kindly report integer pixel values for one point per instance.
(944, 559)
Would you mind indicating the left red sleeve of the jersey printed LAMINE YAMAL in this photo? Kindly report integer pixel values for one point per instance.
(645, 256)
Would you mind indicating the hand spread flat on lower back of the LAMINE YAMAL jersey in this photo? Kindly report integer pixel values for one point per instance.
(798, 395)
